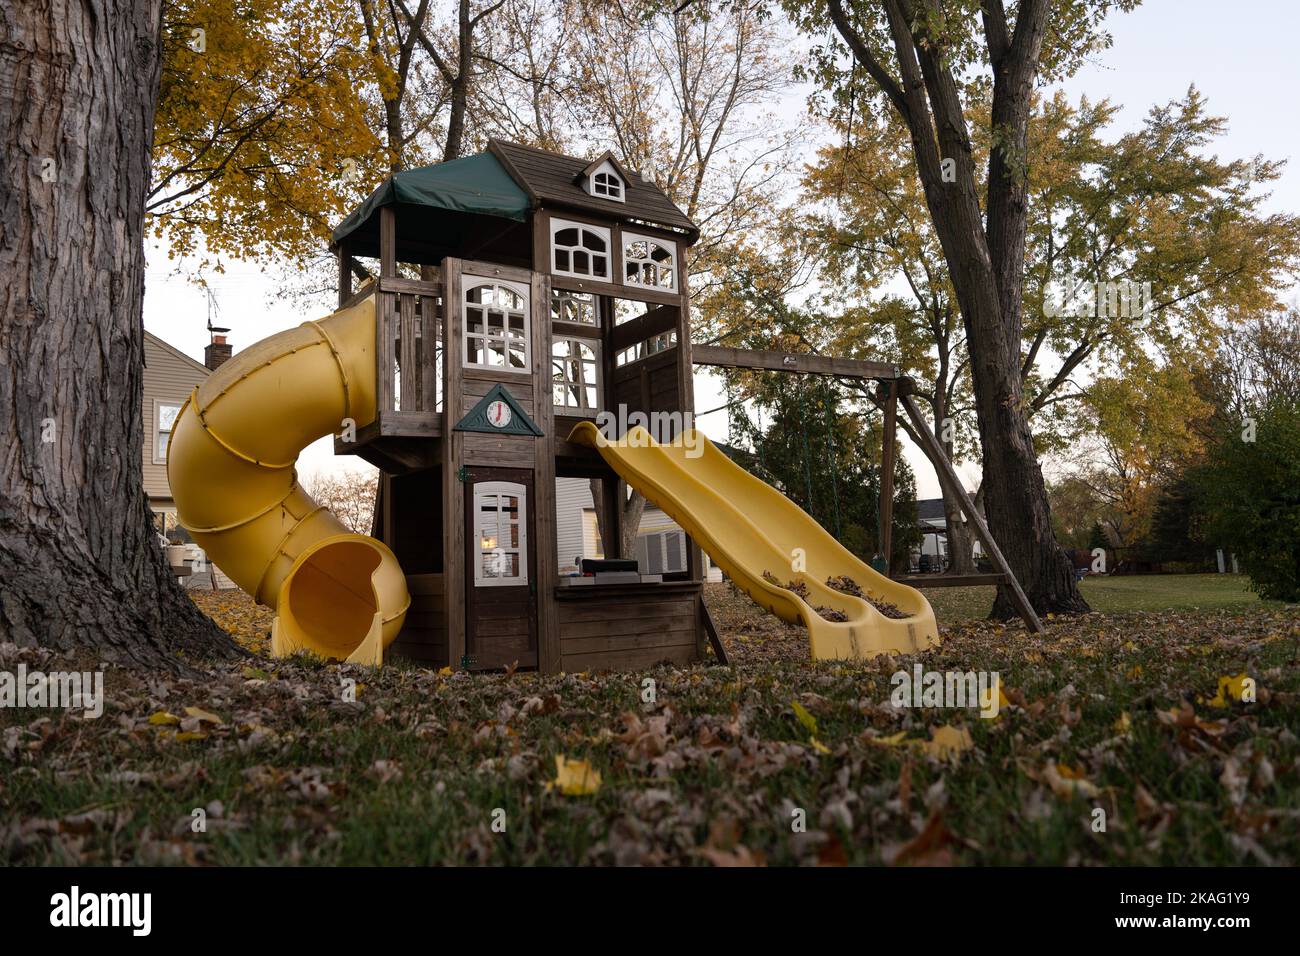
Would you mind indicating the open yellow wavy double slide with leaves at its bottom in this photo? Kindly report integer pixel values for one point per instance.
(759, 537)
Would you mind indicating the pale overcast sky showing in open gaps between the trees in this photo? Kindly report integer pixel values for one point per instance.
(1242, 58)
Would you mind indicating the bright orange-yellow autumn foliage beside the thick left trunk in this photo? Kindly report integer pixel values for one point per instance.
(263, 137)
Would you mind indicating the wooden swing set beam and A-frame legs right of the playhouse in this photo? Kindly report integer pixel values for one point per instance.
(894, 390)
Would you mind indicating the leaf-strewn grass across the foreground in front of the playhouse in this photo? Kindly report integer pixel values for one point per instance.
(1116, 712)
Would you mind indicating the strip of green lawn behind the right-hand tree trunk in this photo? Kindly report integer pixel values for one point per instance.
(1111, 595)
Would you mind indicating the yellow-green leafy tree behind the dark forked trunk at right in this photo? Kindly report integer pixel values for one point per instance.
(1155, 206)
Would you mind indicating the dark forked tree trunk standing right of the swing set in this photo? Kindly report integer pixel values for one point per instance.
(987, 265)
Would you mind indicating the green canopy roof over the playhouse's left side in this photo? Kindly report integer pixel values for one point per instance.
(476, 185)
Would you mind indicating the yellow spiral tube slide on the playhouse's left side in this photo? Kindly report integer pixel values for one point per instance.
(231, 465)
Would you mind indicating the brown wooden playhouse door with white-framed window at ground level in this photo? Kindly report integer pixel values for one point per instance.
(501, 561)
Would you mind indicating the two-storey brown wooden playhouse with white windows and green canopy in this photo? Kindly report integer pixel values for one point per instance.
(519, 293)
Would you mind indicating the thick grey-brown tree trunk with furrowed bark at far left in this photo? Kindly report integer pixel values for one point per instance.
(80, 568)
